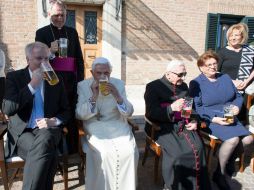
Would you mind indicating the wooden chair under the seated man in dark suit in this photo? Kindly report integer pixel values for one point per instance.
(16, 164)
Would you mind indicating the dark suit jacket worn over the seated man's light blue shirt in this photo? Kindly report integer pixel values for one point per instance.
(18, 104)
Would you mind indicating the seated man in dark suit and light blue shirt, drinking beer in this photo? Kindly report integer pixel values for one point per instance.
(36, 110)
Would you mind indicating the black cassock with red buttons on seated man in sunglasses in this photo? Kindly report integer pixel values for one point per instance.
(183, 163)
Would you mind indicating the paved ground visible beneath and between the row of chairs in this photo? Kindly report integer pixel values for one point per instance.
(242, 181)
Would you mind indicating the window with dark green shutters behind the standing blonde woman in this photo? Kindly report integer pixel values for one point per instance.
(217, 26)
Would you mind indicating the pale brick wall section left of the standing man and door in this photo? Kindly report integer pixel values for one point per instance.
(18, 21)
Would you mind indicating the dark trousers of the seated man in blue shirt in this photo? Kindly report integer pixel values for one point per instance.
(38, 147)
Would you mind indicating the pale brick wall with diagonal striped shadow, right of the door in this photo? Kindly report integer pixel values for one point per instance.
(155, 32)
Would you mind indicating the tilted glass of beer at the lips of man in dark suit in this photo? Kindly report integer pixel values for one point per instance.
(49, 73)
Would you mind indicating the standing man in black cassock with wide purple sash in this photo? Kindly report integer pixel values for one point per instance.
(70, 68)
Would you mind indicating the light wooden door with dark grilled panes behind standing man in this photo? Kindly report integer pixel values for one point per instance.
(88, 22)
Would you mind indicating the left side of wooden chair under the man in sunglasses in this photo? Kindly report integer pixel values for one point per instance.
(153, 146)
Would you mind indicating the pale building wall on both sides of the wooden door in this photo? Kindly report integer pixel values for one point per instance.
(139, 44)
